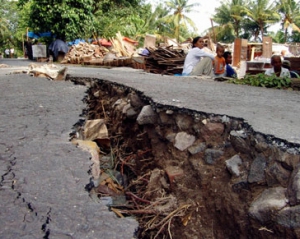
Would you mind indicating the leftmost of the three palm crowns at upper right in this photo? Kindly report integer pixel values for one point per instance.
(229, 17)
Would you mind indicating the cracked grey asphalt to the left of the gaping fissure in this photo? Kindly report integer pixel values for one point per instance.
(42, 174)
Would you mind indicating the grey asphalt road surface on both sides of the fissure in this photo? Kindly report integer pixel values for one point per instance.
(43, 175)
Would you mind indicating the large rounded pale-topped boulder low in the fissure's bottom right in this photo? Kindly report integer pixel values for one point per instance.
(268, 204)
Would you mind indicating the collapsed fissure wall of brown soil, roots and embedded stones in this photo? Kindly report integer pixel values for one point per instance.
(200, 175)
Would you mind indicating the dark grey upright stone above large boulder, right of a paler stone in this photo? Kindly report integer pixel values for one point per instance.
(257, 170)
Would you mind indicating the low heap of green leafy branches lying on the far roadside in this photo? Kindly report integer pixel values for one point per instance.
(263, 80)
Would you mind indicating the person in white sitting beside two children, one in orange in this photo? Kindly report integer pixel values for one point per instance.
(199, 61)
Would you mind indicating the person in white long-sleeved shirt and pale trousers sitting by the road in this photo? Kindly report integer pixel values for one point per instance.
(198, 61)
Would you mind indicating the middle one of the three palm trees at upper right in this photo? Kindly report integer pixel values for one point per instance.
(262, 13)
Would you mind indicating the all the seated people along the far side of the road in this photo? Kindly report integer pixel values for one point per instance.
(199, 61)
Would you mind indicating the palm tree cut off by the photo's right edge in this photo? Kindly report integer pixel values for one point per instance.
(290, 12)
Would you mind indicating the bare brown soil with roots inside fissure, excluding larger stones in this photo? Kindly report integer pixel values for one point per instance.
(175, 193)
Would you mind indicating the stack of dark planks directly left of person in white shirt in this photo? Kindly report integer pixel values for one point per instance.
(165, 60)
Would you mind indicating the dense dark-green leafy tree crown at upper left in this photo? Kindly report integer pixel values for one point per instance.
(68, 19)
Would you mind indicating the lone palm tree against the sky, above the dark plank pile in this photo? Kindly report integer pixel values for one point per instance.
(179, 10)
